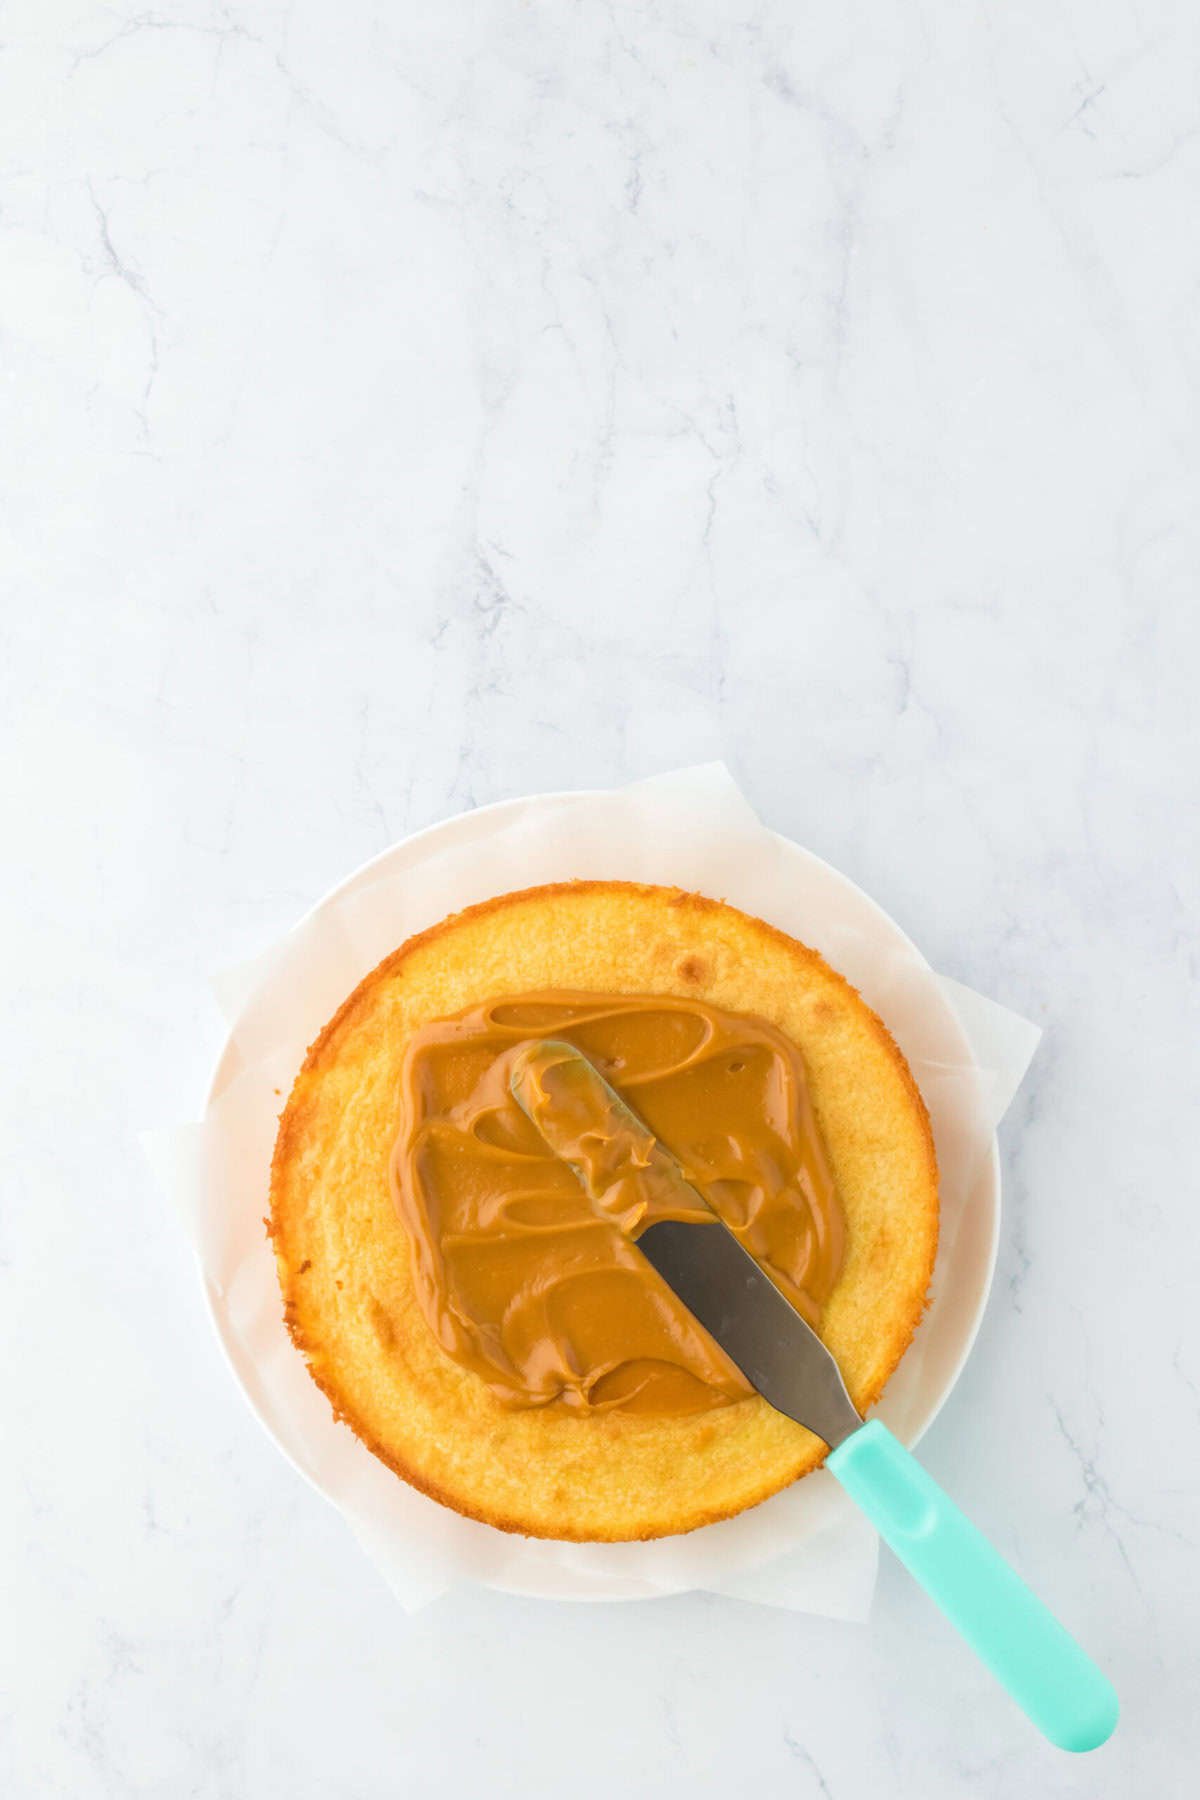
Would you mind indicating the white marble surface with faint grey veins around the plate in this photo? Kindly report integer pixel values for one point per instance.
(413, 406)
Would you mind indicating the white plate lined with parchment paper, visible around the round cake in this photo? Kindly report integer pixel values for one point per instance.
(807, 1549)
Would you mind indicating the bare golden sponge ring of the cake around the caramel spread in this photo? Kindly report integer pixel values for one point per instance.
(345, 1263)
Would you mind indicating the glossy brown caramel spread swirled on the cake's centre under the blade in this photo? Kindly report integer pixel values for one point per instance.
(530, 1275)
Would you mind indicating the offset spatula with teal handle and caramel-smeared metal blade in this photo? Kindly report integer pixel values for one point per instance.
(1008, 1628)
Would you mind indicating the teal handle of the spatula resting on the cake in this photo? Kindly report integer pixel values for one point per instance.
(1008, 1628)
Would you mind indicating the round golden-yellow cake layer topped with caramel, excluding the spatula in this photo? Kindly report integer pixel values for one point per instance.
(427, 1356)
